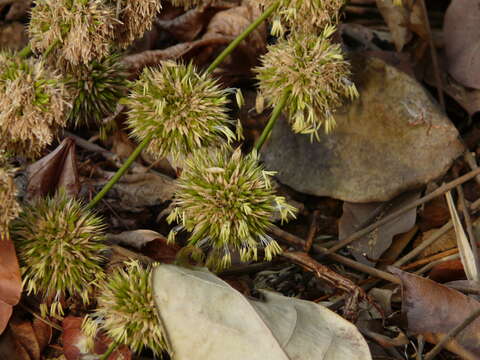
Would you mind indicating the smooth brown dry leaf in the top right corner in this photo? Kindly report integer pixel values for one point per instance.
(462, 41)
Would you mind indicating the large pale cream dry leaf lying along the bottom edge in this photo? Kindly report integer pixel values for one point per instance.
(225, 322)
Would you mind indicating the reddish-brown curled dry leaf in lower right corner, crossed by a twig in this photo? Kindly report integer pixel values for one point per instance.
(433, 309)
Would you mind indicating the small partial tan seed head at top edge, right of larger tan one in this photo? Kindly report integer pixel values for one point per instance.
(136, 17)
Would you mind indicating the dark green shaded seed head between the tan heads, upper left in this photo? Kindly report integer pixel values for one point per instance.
(95, 91)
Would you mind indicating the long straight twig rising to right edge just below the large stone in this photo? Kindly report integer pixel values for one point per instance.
(440, 191)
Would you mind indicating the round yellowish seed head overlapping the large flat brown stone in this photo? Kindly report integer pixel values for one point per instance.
(316, 75)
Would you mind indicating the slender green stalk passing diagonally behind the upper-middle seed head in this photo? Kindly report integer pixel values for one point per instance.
(212, 67)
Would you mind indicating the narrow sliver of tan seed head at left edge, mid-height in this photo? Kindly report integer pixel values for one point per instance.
(9, 207)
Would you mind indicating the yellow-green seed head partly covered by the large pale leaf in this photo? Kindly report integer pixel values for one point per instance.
(126, 310)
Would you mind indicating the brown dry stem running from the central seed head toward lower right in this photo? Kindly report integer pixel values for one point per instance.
(291, 239)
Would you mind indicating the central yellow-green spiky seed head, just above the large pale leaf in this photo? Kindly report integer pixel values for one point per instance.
(225, 200)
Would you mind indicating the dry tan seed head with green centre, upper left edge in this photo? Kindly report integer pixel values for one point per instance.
(32, 105)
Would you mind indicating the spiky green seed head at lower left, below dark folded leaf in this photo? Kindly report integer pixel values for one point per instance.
(59, 244)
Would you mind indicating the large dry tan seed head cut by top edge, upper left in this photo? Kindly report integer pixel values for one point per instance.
(72, 31)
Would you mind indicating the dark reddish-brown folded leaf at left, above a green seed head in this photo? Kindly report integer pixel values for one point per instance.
(56, 170)
